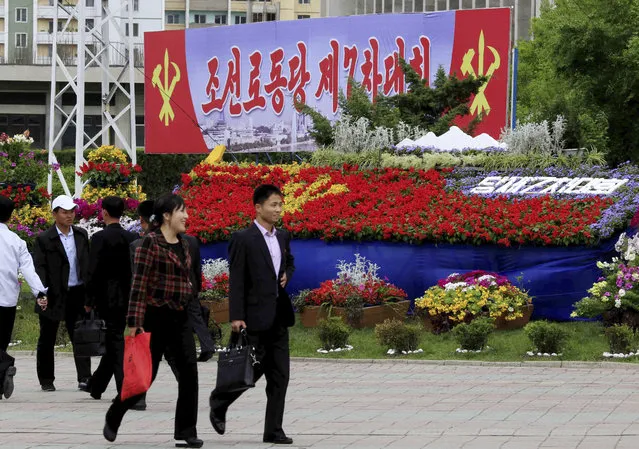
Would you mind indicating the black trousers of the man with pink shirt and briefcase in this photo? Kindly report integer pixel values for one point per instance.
(272, 351)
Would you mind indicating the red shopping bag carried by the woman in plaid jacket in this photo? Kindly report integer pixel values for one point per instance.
(138, 367)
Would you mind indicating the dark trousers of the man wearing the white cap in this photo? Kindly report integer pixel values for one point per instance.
(74, 311)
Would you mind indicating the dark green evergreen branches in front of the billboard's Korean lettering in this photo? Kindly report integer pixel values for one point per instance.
(433, 108)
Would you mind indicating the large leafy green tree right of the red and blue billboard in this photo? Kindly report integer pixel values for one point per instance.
(583, 64)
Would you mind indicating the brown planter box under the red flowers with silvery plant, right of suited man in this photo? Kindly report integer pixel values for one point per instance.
(371, 315)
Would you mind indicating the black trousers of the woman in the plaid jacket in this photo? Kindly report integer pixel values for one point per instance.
(170, 331)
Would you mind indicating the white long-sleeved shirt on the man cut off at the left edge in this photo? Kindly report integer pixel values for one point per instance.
(15, 256)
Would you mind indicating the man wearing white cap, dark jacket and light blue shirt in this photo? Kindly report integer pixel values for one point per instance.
(61, 258)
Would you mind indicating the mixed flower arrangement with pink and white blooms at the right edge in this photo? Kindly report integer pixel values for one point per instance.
(615, 295)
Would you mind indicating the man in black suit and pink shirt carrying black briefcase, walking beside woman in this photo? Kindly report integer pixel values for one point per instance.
(261, 264)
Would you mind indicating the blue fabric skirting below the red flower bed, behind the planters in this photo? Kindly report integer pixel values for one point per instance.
(556, 277)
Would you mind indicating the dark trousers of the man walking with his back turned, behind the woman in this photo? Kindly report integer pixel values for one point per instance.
(111, 362)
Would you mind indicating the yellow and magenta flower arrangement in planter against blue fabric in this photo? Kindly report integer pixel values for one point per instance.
(460, 298)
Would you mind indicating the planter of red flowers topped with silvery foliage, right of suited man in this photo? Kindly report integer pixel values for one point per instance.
(358, 294)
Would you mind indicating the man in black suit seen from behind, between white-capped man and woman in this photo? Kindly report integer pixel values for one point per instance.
(108, 289)
